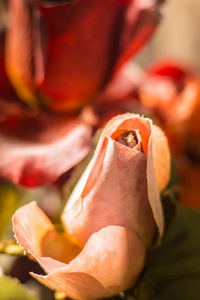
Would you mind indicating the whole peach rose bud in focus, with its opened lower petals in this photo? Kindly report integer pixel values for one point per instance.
(113, 216)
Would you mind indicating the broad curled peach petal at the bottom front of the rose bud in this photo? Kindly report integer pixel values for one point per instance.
(110, 262)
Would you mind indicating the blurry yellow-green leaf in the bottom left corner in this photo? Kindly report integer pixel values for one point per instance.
(12, 289)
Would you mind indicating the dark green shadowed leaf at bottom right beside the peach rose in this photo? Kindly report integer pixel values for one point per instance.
(173, 270)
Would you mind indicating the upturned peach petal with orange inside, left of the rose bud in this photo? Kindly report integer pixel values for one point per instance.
(37, 235)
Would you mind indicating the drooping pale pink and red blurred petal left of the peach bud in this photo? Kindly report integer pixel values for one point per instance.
(37, 155)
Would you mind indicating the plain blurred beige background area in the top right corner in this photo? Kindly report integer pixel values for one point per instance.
(178, 36)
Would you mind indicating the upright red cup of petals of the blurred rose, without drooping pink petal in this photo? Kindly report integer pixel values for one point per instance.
(55, 69)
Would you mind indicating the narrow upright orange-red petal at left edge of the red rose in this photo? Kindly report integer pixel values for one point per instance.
(27, 66)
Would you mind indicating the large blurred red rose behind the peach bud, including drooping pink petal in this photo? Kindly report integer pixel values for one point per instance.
(60, 58)
